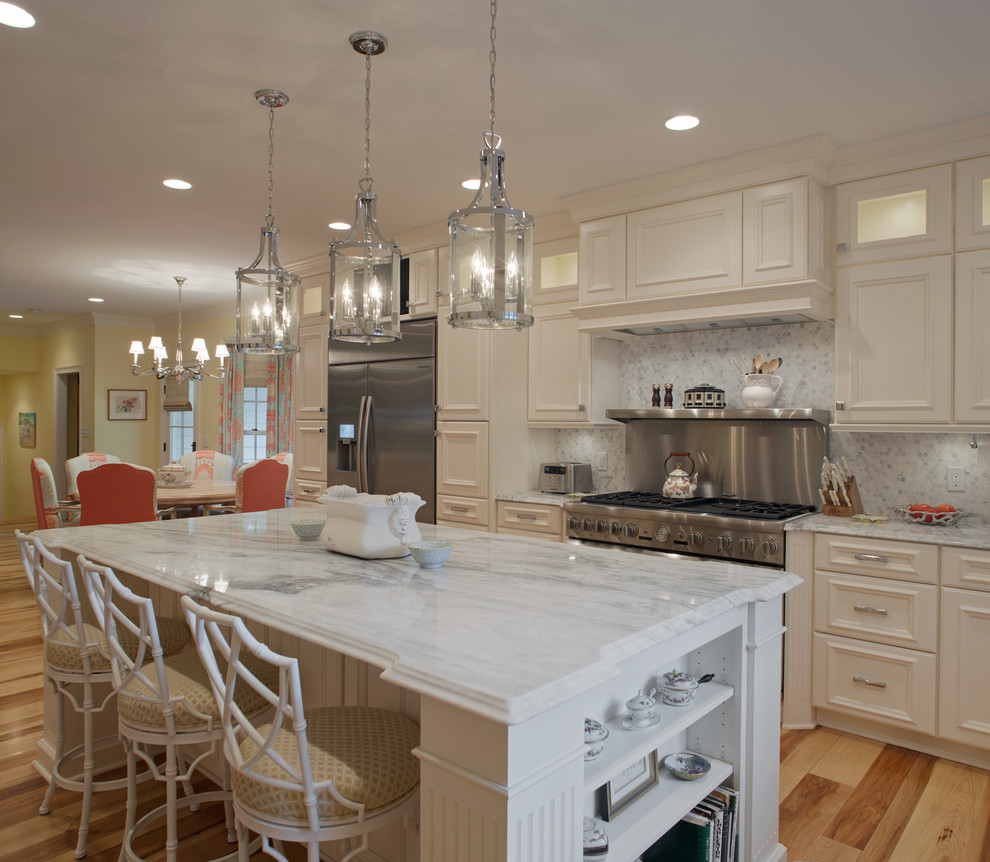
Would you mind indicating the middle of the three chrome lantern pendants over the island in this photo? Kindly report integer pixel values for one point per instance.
(364, 266)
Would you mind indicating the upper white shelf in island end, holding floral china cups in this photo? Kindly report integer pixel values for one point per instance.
(625, 746)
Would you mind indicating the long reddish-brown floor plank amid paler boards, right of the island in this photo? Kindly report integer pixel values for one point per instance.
(856, 821)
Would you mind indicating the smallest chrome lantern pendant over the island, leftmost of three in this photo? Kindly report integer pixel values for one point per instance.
(268, 295)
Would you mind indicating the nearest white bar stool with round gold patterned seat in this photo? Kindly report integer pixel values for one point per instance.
(326, 774)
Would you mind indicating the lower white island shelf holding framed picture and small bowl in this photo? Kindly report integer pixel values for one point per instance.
(637, 827)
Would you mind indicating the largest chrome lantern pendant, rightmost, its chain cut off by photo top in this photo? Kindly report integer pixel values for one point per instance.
(491, 243)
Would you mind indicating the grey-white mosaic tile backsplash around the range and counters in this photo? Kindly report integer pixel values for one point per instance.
(891, 469)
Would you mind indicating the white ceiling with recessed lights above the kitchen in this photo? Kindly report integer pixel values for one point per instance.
(105, 98)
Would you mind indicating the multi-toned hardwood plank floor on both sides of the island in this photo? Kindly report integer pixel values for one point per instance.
(843, 798)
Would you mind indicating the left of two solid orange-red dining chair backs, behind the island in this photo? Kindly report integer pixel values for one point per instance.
(118, 494)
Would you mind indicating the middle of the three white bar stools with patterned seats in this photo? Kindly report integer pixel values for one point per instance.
(164, 702)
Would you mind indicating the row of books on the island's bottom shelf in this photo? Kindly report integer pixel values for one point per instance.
(707, 833)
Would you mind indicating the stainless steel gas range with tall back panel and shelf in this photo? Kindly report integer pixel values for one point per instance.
(761, 466)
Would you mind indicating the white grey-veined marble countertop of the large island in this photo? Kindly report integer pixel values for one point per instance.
(508, 628)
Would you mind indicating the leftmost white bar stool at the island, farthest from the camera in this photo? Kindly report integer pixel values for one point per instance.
(75, 658)
